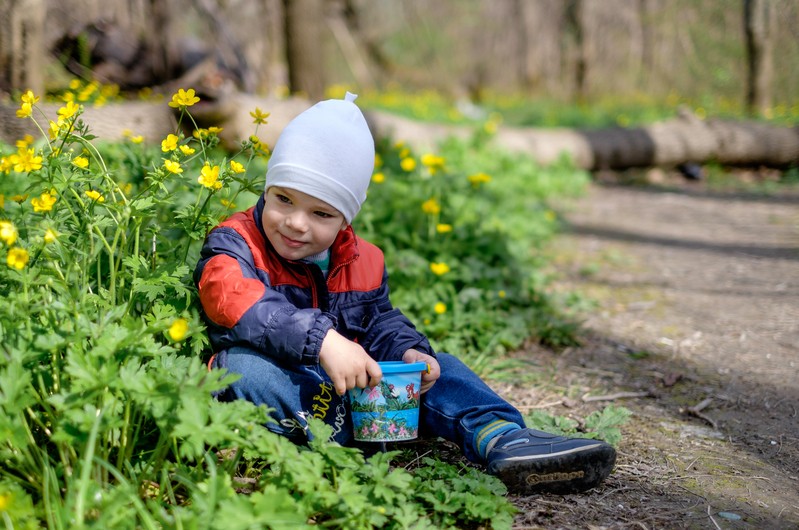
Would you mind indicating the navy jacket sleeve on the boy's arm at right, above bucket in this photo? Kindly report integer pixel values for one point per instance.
(389, 333)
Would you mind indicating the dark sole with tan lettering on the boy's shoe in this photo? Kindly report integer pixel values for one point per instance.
(570, 472)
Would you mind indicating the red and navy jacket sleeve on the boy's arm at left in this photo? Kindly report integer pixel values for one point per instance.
(241, 308)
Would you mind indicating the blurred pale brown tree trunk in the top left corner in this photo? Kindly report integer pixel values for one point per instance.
(22, 50)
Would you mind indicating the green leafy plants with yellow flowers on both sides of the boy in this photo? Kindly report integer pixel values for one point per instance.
(106, 411)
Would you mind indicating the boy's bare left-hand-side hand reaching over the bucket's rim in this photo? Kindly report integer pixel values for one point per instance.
(347, 363)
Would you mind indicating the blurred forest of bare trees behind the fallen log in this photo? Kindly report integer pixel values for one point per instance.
(724, 56)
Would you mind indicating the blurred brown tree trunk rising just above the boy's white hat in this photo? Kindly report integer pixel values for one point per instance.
(303, 27)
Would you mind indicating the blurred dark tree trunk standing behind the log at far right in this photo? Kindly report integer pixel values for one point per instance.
(759, 22)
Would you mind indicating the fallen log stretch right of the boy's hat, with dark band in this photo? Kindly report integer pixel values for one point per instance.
(681, 140)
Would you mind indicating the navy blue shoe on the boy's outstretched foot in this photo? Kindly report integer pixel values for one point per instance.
(530, 461)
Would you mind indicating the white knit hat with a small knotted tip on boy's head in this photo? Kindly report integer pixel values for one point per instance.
(327, 152)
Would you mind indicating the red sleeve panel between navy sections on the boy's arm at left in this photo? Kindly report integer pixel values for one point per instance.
(224, 291)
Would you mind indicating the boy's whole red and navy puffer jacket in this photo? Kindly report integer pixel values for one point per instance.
(252, 297)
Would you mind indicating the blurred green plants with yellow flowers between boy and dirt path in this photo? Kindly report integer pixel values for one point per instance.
(464, 270)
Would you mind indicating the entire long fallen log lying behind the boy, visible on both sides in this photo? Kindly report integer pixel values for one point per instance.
(681, 140)
